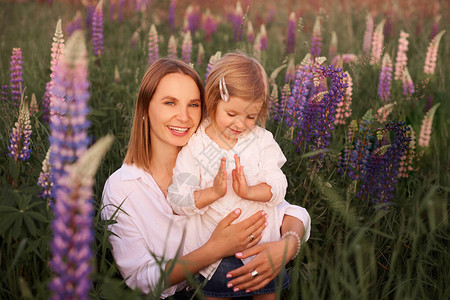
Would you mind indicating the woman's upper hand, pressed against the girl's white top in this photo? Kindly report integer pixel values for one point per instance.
(229, 238)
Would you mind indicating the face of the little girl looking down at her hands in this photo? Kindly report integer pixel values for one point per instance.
(236, 117)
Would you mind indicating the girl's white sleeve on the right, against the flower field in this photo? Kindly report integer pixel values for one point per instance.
(271, 161)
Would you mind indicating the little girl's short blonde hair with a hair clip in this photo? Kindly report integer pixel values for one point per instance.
(244, 78)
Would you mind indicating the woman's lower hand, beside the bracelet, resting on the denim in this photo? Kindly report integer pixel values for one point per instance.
(270, 258)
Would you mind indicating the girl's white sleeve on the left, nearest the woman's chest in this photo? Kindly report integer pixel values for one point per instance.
(186, 179)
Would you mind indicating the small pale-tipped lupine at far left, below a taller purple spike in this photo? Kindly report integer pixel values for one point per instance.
(19, 147)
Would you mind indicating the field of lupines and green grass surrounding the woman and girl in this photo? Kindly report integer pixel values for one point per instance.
(359, 105)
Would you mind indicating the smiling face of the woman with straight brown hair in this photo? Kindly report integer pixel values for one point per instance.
(174, 110)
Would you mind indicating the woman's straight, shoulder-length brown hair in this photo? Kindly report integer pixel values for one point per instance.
(139, 150)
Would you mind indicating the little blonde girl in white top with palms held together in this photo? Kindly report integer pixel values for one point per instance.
(230, 162)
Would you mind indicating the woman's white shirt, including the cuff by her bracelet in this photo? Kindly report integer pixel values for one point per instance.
(146, 229)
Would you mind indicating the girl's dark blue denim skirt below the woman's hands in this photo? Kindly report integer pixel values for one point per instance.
(217, 285)
